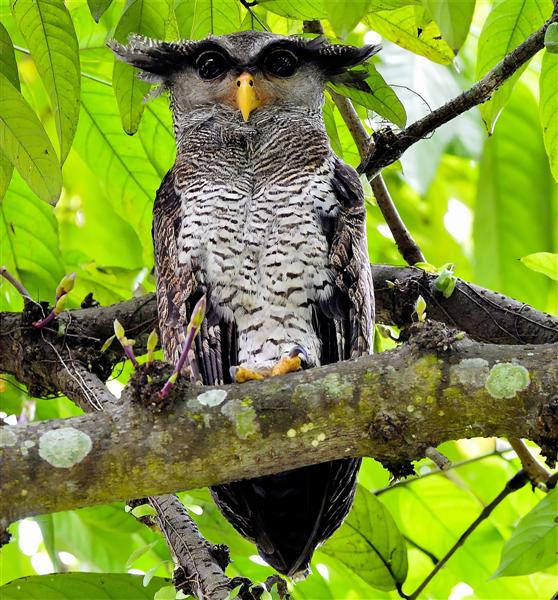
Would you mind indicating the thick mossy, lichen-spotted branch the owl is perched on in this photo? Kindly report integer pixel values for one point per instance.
(391, 406)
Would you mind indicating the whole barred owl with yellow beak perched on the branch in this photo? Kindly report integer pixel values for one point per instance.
(260, 216)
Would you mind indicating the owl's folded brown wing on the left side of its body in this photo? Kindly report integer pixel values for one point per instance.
(178, 290)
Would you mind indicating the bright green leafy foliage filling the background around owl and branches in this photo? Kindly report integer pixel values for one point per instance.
(89, 155)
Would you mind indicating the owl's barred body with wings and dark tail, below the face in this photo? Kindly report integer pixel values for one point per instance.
(270, 225)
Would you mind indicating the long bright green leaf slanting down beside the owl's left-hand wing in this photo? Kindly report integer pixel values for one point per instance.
(117, 160)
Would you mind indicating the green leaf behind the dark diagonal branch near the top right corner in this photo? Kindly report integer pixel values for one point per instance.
(509, 23)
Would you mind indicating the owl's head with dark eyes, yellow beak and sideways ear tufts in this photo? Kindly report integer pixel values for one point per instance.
(245, 70)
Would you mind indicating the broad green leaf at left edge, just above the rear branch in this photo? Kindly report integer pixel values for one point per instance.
(29, 241)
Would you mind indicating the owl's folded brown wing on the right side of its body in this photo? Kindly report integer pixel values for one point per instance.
(345, 322)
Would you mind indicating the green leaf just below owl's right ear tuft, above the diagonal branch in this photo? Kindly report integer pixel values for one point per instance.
(383, 100)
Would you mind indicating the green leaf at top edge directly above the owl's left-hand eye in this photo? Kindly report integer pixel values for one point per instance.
(215, 17)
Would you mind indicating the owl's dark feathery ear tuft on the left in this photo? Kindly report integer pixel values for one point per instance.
(157, 60)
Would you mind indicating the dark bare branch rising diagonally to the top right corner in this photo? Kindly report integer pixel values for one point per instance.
(388, 146)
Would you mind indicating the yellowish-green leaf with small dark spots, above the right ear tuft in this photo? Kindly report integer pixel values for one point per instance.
(400, 26)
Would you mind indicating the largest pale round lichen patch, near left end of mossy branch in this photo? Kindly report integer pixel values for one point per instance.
(64, 447)
